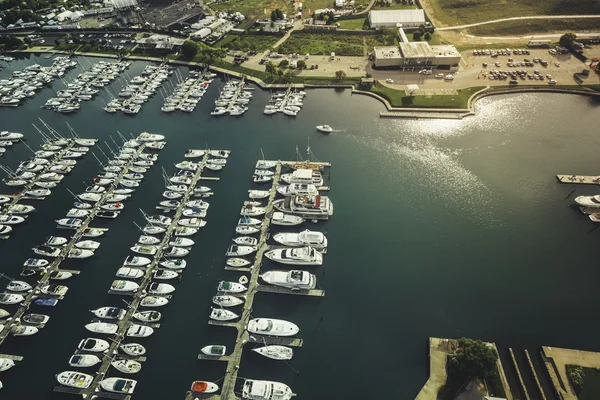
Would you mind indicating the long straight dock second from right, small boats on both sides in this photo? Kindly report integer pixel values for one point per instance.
(126, 322)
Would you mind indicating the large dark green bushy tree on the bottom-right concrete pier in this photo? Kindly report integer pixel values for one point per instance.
(475, 359)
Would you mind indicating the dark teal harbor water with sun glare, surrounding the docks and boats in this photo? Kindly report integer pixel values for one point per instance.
(441, 228)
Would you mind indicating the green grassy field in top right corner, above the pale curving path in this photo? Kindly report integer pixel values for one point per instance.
(458, 12)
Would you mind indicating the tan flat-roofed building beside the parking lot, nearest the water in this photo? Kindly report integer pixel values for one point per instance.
(416, 56)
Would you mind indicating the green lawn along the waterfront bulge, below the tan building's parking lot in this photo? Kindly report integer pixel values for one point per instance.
(398, 98)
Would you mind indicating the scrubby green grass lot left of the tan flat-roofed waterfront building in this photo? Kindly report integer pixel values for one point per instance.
(323, 44)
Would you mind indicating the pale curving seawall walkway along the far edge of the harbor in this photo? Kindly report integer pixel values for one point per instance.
(392, 112)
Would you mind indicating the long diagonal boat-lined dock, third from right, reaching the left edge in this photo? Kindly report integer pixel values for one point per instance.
(55, 264)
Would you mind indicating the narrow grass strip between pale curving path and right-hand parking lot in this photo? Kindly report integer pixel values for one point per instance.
(535, 25)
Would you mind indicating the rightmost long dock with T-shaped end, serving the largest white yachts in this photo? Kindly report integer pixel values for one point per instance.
(243, 336)
